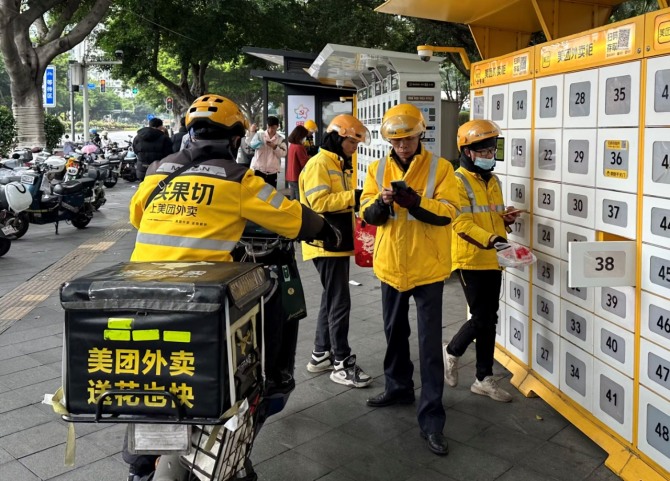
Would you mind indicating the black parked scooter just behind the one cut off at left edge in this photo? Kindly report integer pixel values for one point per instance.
(55, 200)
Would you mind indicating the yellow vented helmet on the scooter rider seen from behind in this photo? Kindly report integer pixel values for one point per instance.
(217, 111)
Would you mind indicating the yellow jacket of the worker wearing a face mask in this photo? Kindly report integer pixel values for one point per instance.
(482, 207)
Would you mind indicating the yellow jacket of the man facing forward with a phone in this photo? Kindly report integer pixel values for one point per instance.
(409, 252)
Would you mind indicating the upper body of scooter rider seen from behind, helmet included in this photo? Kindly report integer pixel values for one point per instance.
(200, 215)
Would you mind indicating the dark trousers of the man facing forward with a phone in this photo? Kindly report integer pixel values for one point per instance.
(398, 367)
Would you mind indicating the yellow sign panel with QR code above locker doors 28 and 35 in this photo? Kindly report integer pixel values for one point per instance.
(613, 43)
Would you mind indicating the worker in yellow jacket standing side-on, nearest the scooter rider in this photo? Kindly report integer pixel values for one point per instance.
(325, 186)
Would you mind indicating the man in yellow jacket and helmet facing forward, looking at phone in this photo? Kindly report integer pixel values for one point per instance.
(412, 259)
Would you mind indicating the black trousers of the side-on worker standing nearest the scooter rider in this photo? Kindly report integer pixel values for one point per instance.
(332, 323)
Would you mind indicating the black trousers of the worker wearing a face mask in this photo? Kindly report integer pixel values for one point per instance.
(482, 292)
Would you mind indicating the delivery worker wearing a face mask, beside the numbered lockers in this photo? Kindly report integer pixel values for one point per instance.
(482, 224)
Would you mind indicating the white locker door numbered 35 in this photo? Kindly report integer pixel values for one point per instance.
(618, 95)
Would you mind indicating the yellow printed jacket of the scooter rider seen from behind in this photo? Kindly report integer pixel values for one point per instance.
(201, 214)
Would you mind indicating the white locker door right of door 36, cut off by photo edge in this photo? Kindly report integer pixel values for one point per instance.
(657, 162)
